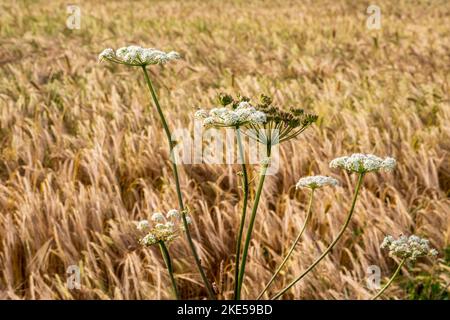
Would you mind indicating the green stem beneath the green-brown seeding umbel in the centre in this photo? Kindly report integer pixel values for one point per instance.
(250, 227)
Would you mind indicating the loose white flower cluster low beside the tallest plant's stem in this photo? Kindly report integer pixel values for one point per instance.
(164, 228)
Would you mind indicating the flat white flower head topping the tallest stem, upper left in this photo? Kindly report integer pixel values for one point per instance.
(137, 56)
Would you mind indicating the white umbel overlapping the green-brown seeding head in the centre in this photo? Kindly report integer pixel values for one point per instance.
(241, 115)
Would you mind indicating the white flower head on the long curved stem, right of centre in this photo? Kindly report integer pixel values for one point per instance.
(362, 163)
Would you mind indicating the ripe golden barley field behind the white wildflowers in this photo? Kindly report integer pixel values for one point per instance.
(83, 155)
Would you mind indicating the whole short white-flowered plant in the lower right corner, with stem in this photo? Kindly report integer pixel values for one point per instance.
(407, 249)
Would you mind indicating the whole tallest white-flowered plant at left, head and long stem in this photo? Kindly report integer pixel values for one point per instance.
(136, 56)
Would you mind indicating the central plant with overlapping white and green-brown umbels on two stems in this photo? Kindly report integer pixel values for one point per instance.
(266, 124)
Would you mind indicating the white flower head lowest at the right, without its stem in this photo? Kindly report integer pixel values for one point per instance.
(409, 248)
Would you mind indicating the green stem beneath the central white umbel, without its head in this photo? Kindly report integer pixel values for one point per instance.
(244, 211)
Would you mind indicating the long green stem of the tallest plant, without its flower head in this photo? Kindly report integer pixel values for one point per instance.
(177, 184)
